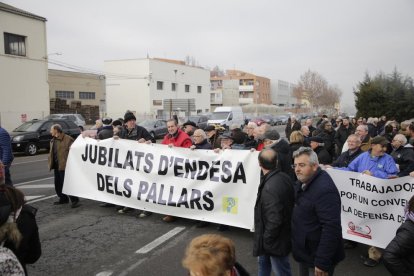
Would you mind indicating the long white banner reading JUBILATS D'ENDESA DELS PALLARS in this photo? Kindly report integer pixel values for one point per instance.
(200, 184)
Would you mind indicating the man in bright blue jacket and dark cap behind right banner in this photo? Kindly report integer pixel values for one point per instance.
(375, 162)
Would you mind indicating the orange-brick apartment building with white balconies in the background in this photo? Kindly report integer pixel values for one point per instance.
(253, 89)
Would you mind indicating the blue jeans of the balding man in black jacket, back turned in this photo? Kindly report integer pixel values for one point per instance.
(279, 265)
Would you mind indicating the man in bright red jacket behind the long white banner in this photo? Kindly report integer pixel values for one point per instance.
(175, 138)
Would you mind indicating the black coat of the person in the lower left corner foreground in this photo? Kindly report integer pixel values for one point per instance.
(30, 249)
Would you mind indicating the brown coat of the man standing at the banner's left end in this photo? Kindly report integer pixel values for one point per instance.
(63, 143)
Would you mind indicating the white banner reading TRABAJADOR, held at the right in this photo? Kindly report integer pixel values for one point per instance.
(372, 208)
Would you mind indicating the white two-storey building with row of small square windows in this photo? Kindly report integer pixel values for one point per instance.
(156, 88)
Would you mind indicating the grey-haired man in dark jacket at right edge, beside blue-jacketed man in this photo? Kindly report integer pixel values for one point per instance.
(403, 155)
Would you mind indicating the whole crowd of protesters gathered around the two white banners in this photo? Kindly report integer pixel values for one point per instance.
(297, 206)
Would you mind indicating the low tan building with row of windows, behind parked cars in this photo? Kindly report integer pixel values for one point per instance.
(75, 92)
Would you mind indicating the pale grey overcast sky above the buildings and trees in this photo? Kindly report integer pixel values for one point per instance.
(276, 39)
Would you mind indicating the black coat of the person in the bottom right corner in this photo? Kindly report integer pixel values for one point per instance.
(399, 255)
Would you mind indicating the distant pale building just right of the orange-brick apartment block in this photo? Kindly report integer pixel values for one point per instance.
(282, 93)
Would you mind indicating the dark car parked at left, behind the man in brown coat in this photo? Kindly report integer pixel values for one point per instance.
(35, 134)
